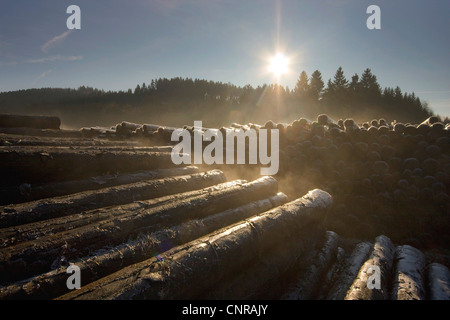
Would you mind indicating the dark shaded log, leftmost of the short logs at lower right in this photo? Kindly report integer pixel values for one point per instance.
(307, 282)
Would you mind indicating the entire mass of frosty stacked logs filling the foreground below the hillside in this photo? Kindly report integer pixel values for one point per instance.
(349, 197)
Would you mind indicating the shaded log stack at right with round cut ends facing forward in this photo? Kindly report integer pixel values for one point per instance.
(399, 173)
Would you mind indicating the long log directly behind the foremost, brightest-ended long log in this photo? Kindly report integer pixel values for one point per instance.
(53, 283)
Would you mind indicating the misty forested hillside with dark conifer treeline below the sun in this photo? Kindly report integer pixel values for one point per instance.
(179, 101)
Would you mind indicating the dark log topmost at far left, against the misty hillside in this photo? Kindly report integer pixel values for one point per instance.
(24, 121)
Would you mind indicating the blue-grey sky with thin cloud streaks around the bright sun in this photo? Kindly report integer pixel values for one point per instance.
(122, 43)
